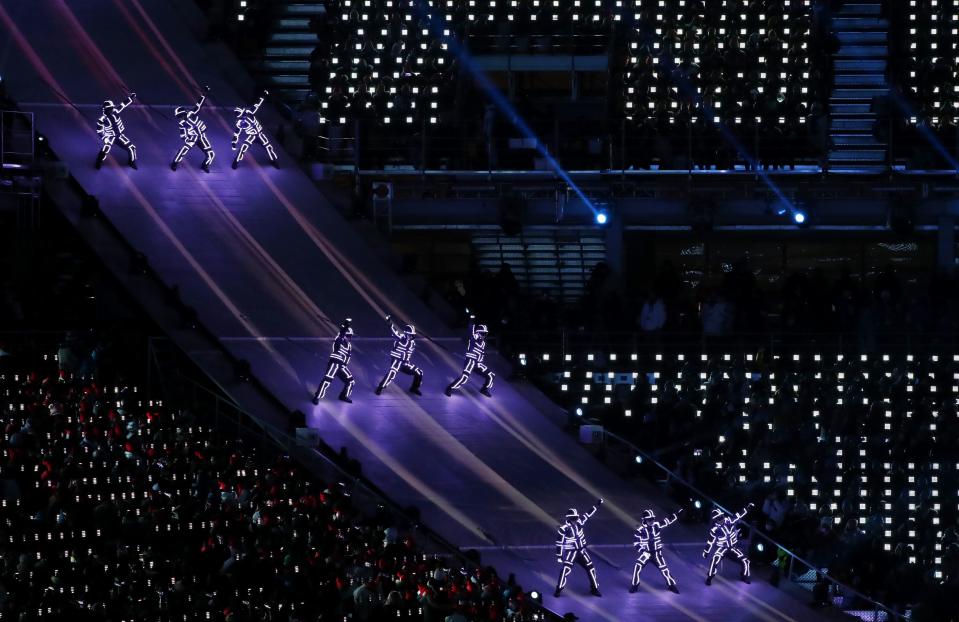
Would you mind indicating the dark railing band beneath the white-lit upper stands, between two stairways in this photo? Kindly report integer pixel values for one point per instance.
(623, 147)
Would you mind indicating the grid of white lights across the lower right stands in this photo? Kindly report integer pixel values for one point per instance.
(845, 406)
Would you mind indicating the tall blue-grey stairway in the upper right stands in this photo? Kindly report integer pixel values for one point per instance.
(860, 68)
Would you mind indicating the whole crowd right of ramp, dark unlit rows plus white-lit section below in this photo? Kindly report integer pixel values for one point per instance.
(847, 449)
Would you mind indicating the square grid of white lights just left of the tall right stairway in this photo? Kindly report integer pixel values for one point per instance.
(669, 71)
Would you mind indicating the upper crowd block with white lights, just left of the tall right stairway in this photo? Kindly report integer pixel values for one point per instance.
(697, 72)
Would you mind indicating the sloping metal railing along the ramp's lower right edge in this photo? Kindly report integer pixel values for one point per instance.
(797, 569)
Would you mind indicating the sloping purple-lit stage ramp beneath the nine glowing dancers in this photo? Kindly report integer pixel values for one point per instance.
(266, 261)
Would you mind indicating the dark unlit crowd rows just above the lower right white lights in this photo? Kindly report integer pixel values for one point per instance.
(806, 307)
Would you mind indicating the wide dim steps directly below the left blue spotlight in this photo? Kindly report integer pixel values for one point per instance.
(555, 263)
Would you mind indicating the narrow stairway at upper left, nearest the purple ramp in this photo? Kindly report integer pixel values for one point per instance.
(286, 58)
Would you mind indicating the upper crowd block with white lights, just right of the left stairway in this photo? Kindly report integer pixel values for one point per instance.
(385, 65)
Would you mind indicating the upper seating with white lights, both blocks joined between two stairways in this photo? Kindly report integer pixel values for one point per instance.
(390, 60)
